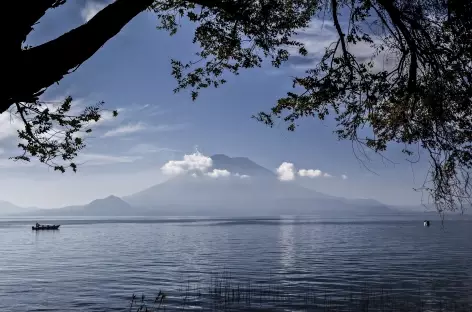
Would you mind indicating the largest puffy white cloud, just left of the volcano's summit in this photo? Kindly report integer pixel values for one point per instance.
(195, 163)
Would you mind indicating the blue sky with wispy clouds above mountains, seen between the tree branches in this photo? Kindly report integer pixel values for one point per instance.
(131, 73)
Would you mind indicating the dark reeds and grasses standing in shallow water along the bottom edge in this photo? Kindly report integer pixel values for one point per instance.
(223, 293)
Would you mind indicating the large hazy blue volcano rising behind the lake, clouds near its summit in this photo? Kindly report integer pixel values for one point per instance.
(262, 193)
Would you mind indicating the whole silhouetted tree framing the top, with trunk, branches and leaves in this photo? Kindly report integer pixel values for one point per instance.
(422, 100)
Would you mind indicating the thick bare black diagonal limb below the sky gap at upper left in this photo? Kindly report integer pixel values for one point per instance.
(51, 61)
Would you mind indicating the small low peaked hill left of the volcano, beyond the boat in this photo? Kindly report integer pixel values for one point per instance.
(109, 206)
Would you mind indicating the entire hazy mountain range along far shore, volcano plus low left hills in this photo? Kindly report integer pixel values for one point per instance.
(250, 190)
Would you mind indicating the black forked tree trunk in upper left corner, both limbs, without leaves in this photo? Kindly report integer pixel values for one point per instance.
(29, 72)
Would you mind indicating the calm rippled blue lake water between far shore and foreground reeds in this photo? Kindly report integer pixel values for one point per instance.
(96, 265)
